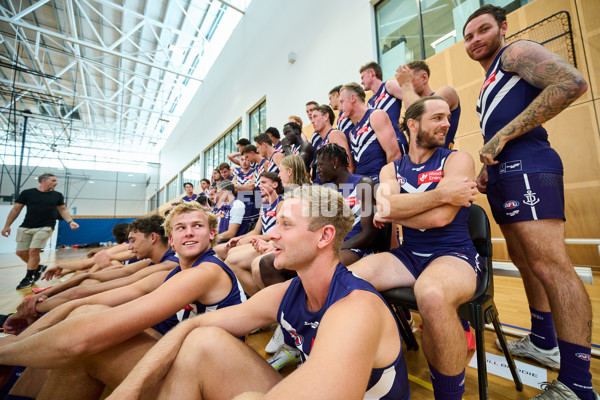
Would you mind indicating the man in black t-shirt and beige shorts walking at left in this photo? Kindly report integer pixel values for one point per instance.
(42, 203)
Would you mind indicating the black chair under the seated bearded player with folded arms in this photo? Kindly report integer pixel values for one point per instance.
(479, 311)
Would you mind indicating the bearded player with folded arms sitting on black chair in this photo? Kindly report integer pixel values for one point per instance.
(428, 192)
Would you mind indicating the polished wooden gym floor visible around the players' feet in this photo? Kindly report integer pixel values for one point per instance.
(509, 297)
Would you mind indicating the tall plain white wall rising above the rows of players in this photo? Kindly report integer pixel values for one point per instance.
(331, 39)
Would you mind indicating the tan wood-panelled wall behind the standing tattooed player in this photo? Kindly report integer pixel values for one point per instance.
(573, 133)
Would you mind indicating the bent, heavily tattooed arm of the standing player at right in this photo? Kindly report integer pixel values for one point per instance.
(562, 84)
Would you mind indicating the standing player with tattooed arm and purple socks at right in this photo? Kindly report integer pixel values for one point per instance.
(525, 86)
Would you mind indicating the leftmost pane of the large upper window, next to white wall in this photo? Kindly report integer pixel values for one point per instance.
(398, 39)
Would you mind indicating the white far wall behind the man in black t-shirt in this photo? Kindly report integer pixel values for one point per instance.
(111, 193)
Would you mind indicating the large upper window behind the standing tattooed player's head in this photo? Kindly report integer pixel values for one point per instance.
(409, 30)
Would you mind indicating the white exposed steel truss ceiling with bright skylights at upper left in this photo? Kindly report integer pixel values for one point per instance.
(102, 81)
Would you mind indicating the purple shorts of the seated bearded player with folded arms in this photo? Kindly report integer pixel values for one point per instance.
(416, 263)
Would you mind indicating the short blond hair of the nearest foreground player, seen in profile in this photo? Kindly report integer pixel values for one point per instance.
(325, 206)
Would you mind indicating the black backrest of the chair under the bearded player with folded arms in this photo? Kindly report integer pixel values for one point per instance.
(479, 229)
